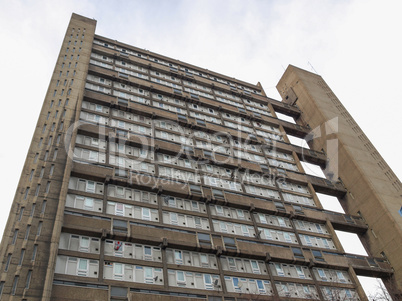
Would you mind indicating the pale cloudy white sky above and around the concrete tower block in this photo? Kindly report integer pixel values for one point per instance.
(355, 45)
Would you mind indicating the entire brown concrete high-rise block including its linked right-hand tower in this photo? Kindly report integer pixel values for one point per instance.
(149, 178)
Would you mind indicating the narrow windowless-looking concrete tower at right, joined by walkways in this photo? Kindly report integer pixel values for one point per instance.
(374, 191)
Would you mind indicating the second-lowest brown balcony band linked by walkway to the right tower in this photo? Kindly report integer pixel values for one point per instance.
(215, 195)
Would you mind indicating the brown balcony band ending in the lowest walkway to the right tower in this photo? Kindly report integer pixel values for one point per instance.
(160, 236)
